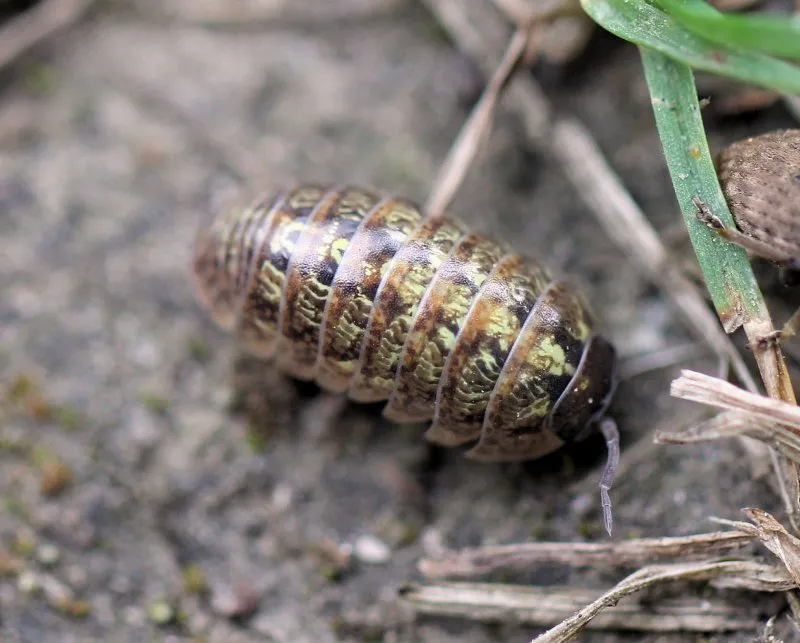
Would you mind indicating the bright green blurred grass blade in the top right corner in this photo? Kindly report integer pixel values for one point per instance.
(776, 35)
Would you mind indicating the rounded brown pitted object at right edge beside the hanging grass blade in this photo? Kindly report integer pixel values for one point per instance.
(760, 177)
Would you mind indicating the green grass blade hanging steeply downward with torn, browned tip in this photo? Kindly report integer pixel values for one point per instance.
(726, 269)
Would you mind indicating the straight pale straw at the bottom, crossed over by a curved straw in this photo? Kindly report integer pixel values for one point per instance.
(546, 606)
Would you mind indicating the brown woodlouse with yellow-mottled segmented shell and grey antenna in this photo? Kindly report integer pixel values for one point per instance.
(365, 295)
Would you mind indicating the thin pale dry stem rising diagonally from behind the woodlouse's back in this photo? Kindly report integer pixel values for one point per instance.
(477, 127)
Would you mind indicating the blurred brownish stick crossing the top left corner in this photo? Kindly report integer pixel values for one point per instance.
(45, 19)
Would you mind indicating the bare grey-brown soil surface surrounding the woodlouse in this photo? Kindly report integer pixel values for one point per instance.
(157, 486)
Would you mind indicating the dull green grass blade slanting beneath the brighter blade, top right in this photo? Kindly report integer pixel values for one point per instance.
(649, 26)
